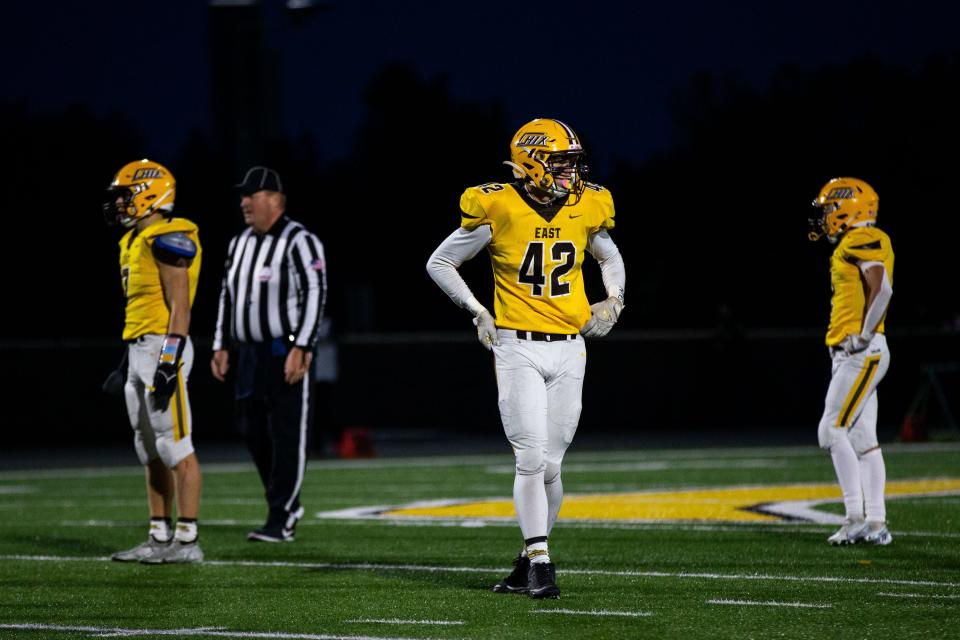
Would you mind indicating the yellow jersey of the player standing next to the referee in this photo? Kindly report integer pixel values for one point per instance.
(146, 310)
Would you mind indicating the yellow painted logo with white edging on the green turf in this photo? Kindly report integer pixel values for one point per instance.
(772, 504)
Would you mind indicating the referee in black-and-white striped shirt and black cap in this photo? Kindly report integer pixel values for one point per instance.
(271, 305)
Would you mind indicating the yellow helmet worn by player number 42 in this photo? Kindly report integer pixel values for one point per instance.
(548, 154)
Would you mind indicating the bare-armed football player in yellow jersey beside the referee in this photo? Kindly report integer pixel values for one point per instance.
(159, 267)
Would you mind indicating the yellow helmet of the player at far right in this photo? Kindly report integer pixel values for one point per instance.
(842, 203)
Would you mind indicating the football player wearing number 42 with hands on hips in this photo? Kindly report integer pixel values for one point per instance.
(537, 231)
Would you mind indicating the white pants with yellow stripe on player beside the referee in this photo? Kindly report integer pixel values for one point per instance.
(166, 434)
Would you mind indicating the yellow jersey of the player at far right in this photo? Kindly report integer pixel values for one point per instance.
(847, 307)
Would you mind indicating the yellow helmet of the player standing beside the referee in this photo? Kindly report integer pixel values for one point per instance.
(140, 188)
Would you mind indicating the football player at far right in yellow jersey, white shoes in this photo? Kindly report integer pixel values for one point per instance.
(861, 273)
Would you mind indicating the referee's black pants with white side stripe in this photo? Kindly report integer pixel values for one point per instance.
(274, 418)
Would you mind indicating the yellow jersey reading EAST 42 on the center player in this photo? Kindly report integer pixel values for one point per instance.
(537, 252)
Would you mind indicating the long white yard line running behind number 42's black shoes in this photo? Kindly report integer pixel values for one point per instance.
(496, 570)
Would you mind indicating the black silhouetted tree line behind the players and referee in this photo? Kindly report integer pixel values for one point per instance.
(713, 231)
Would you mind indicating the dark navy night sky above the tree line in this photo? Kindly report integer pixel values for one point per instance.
(609, 69)
